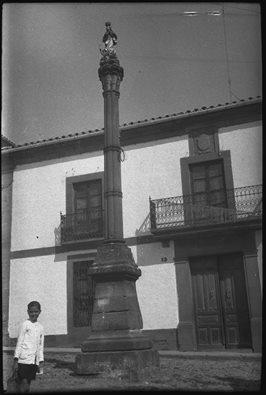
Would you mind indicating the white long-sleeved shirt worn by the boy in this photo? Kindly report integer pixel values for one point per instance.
(30, 343)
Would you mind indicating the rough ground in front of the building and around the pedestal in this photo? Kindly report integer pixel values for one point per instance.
(177, 374)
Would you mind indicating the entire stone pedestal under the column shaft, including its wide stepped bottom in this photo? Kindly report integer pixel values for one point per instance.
(116, 339)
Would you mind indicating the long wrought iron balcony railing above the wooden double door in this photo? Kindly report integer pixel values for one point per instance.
(181, 211)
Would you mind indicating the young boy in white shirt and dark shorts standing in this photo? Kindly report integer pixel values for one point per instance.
(28, 357)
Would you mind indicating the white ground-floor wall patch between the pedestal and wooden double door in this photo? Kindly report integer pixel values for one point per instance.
(156, 287)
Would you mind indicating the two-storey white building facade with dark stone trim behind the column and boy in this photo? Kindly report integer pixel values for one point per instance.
(192, 213)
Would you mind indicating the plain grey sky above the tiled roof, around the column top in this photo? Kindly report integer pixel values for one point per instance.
(173, 60)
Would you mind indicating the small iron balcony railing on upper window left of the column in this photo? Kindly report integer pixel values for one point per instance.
(84, 224)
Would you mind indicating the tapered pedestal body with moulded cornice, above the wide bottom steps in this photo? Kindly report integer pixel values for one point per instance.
(116, 304)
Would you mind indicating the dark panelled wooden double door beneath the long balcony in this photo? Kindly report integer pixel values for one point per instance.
(220, 302)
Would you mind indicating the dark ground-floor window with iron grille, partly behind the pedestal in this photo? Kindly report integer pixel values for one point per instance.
(83, 294)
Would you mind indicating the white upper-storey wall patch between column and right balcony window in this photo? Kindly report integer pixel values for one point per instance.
(150, 169)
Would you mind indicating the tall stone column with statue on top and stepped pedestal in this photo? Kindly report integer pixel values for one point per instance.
(116, 338)
